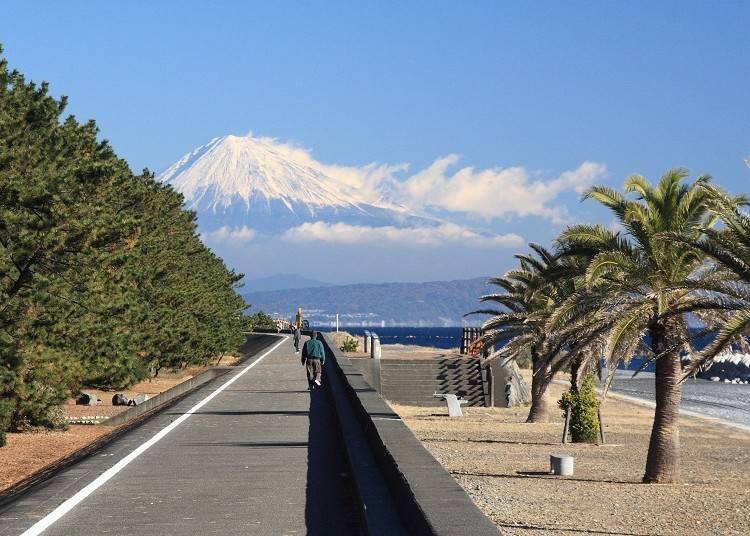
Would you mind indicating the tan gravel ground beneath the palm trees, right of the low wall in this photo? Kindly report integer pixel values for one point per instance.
(503, 465)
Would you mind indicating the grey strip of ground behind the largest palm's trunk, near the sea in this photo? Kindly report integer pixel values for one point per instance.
(727, 401)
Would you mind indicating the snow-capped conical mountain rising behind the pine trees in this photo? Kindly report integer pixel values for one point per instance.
(237, 181)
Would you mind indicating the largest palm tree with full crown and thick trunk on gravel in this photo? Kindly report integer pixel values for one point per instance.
(639, 284)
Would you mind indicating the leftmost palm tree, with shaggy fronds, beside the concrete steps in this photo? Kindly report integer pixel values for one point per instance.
(526, 300)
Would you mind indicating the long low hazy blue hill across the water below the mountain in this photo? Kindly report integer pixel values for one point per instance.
(437, 303)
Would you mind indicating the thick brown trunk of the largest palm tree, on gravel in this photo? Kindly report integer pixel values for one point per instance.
(663, 461)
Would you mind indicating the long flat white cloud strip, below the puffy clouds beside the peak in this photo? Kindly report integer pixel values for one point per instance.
(342, 233)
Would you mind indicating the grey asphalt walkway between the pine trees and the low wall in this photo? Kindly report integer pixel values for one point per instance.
(261, 457)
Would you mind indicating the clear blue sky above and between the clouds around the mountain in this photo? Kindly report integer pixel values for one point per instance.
(544, 86)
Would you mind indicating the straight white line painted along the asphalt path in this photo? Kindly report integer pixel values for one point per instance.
(44, 523)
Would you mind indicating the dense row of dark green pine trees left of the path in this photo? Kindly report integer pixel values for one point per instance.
(103, 277)
